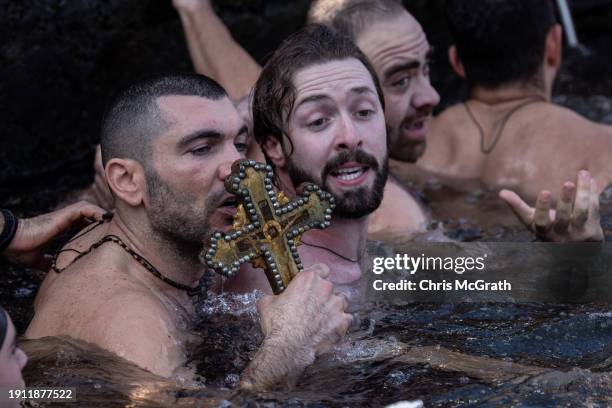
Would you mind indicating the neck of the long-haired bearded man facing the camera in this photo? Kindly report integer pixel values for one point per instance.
(344, 236)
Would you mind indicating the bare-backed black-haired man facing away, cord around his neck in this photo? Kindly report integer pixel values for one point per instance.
(509, 134)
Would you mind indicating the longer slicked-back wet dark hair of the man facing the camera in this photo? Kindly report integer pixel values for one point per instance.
(274, 93)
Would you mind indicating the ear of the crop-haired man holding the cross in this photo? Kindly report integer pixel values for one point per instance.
(126, 179)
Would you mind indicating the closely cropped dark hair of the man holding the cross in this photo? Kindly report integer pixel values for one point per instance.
(134, 119)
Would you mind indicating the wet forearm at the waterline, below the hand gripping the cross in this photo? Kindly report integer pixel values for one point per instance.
(275, 364)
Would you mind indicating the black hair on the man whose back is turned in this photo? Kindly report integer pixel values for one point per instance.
(500, 41)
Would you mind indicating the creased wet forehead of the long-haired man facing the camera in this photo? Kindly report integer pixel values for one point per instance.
(335, 77)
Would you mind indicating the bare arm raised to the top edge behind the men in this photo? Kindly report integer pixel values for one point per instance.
(213, 50)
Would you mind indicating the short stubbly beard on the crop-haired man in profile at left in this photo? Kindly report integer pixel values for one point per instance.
(174, 219)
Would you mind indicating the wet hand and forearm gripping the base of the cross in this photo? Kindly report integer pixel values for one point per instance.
(299, 324)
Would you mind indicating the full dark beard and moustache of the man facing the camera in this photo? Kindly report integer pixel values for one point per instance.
(352, 204)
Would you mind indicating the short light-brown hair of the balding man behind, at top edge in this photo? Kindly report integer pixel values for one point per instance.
(350, 17)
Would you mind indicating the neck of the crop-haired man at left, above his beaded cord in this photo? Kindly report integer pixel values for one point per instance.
(178, 262)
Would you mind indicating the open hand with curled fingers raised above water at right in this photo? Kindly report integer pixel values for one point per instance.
(576, 217)
